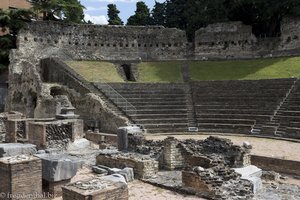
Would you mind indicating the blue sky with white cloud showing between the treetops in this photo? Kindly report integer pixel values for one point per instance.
(96, 10)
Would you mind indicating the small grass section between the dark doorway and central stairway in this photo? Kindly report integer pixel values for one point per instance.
(169, 71)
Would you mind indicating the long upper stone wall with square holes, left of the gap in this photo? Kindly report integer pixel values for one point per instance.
(92, 42)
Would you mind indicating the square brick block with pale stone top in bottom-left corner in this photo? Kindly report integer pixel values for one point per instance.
(21, 176)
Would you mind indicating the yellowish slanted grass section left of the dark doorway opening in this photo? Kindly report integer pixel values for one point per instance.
(95, 71)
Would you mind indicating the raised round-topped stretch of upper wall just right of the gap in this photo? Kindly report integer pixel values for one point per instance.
(224, 41)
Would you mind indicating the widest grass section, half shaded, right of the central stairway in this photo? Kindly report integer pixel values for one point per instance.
(245, 69)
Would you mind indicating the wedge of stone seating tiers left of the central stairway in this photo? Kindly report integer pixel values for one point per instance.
(159, 107)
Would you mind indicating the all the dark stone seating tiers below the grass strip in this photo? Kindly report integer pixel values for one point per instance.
(266, 107)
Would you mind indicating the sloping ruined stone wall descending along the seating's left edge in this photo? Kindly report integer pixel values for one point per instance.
(80, 92)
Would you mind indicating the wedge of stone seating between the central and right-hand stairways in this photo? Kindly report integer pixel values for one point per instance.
(238, 106)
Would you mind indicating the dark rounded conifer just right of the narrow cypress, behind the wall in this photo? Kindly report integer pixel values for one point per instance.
(141, 16)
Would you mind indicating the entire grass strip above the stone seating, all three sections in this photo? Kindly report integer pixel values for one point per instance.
(170, 71)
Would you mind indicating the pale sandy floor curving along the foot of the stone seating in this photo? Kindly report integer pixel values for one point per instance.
(261, 146)
